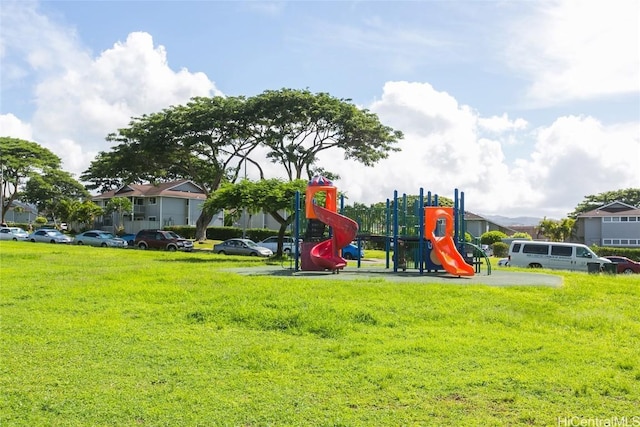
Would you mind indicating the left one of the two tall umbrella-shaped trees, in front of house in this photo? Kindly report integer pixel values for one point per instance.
(206, 141)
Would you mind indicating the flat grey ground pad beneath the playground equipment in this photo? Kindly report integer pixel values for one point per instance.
(497, 277)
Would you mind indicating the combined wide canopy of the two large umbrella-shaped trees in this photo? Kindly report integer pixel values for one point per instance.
(211, 140)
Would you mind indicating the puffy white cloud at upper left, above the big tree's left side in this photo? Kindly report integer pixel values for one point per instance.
(130, 79)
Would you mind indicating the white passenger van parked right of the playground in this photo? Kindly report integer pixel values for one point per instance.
(555, 255)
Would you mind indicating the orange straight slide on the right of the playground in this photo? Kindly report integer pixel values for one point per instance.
(444, 246)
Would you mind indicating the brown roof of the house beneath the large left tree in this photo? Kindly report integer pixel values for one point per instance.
(183, 189)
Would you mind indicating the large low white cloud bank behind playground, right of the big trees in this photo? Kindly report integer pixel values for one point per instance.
(444, 149)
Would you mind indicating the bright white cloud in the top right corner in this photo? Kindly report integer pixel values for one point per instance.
(573, 49)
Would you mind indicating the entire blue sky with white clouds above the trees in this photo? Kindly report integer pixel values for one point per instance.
(525, 106)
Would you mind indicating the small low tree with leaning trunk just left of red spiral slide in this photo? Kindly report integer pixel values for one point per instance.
(273, 196)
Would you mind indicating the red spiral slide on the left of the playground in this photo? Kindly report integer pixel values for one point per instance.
(326, 254)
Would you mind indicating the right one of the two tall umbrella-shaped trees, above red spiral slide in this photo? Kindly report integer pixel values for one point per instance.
(296, 125)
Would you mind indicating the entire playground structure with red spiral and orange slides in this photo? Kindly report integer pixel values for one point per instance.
(421, 235)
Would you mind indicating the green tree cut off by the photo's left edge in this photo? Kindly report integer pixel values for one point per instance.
(21, 160)
